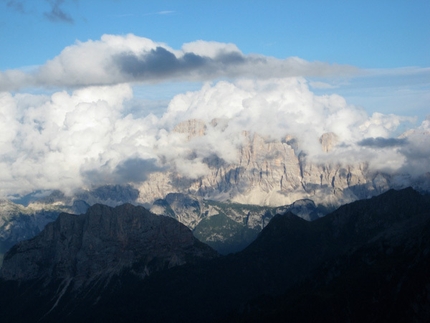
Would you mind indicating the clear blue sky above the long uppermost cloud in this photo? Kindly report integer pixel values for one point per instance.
(367, 34)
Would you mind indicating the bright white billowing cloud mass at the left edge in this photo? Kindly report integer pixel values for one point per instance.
(48, 140)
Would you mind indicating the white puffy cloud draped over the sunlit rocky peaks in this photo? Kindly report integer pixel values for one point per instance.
(279, 107)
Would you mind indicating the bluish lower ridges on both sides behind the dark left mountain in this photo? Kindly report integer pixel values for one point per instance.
(225, 226)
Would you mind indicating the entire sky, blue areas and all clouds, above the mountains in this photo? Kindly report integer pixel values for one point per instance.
(88, 86)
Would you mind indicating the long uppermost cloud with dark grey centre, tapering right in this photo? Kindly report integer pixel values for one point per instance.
(120, 59)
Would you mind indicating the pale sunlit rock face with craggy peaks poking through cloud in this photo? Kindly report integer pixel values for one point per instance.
(269, 171)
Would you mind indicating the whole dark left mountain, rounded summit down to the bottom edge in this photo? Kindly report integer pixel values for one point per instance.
(77, 259)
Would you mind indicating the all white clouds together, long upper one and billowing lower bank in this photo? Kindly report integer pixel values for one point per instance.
(89, 136)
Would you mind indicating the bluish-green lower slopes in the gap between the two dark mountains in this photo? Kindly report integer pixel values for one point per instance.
(227, 227)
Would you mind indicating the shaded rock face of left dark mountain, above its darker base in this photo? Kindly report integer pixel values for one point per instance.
(102, 243)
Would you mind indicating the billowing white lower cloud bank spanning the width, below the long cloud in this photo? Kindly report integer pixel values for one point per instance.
(84, 138)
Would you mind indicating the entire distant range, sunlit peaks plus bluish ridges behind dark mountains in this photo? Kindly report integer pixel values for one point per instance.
(232, 201)
